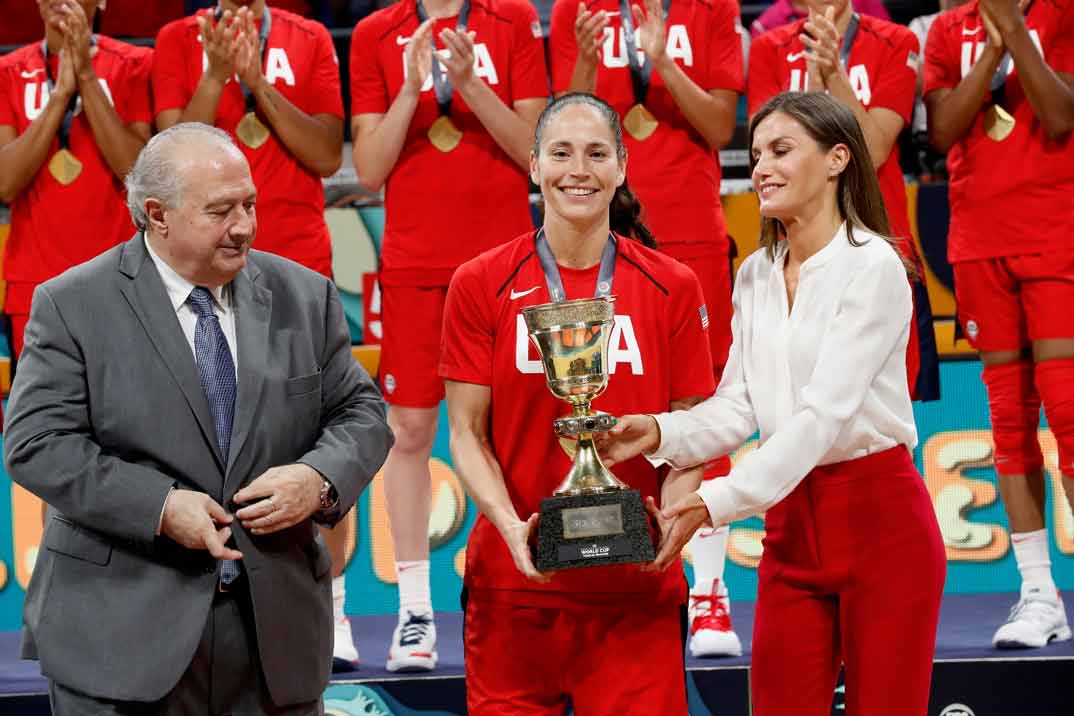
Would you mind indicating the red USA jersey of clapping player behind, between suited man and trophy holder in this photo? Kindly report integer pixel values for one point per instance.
(444, 209)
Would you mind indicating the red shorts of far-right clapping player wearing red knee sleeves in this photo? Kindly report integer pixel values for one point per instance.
(1004, 304)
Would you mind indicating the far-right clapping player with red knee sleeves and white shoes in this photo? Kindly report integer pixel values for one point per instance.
(998, 84)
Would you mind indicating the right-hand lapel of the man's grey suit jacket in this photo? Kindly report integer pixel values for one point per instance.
(253, 313)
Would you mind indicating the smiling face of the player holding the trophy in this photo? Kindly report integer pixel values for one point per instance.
(578, 168)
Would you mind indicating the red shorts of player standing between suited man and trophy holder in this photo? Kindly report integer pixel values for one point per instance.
(413, 319)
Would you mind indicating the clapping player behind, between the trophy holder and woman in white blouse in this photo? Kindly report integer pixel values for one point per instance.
(675, 83)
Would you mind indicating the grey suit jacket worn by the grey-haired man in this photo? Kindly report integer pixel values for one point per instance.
(108, 414)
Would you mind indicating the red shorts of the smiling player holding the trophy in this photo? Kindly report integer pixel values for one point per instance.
(609, 662)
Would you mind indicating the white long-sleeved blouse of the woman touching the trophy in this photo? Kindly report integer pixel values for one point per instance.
(824, 383)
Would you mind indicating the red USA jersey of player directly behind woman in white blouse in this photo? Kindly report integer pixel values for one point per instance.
(882, 69)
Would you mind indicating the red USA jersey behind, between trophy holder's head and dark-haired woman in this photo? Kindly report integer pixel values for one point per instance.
(675, 173)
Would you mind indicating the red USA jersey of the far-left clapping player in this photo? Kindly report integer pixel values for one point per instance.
(45, 241)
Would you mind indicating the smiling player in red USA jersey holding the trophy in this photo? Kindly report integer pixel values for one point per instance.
(533, 640)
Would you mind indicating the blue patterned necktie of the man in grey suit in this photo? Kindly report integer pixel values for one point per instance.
(217, 373)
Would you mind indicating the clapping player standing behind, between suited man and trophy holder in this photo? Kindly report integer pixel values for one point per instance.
(448, 140)
